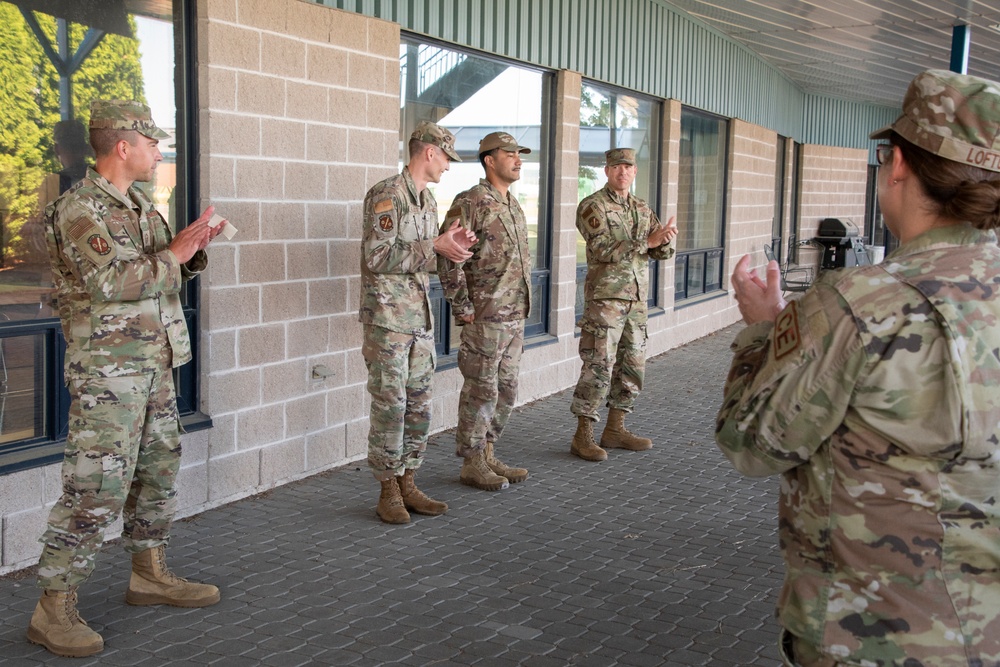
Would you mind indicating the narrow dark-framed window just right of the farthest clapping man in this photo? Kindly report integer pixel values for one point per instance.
(701, 204)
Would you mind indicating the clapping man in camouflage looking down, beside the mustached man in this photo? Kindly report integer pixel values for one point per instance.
(399, 246)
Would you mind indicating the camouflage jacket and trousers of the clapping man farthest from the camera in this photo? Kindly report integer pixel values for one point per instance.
(613, 327)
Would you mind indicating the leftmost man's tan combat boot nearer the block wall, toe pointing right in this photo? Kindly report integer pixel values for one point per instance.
(153, 583)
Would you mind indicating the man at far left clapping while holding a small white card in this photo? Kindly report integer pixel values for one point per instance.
(118, 271)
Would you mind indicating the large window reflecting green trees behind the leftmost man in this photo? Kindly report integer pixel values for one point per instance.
(53, 67)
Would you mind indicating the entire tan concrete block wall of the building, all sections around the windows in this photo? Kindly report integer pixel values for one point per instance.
(298, 118)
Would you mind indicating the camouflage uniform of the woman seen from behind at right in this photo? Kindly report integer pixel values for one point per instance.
(875, 396)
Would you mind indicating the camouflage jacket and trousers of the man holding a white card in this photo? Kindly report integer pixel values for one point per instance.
(119, 302)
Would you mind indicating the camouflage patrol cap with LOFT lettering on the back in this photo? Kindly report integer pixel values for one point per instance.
(955, 116)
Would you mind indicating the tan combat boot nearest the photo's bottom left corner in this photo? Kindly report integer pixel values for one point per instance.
(56, 625)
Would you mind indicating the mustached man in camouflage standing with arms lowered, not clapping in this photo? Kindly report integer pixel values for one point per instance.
(490, 295)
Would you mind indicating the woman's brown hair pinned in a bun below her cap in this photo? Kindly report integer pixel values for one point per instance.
(959, 191)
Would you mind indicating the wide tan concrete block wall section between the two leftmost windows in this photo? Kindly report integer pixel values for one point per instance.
(299, 116)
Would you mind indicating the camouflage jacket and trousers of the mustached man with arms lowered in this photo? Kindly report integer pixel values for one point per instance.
(494, 285)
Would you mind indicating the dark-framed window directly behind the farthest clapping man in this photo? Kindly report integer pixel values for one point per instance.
(613, 118)
